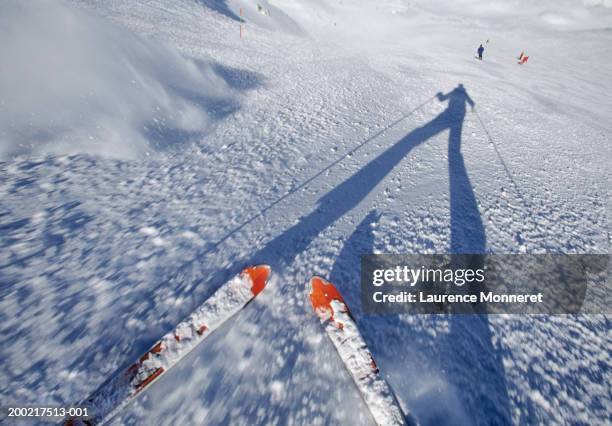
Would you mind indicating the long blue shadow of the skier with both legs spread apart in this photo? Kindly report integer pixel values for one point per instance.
(472, 364)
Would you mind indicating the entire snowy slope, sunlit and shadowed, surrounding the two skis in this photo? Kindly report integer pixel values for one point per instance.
(148, 153)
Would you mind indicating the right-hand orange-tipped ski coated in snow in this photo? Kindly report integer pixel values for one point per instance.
(340, 326)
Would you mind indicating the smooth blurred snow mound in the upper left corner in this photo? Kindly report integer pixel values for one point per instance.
(72, 82)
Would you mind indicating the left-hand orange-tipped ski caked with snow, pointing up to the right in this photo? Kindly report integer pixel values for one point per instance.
(122, 388)
